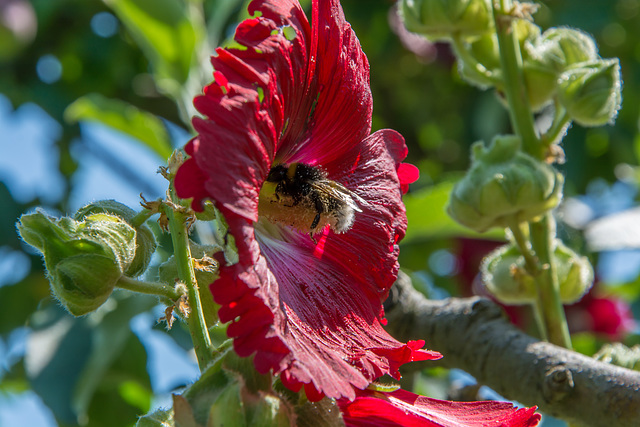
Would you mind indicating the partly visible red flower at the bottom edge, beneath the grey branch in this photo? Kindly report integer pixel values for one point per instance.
(401, 408)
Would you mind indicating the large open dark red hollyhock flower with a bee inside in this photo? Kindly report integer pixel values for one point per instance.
(309, 307)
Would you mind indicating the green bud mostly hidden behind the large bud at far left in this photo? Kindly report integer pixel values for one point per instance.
(145, 240)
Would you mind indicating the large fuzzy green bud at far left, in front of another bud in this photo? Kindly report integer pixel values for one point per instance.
(84, 259)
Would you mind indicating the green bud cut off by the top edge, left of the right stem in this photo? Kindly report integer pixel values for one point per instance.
(440, 19)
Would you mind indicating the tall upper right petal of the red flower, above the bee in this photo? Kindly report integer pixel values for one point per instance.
(341, 116)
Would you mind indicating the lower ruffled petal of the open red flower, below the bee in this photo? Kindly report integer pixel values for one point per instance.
(328, 322)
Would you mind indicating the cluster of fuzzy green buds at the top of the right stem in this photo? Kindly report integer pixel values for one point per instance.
(561, 64)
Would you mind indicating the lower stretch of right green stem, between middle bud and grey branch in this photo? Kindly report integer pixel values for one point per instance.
(555, 322)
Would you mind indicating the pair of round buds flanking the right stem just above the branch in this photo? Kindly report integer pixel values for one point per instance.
(506, 278)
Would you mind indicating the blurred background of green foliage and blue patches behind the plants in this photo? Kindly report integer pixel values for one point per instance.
(95, 94)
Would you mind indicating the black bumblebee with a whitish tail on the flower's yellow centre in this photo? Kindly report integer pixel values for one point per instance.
(307, 200)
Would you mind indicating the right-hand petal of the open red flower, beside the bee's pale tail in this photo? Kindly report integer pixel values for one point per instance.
(369, 170)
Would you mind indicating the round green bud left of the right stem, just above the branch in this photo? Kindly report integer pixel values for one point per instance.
(504, 276)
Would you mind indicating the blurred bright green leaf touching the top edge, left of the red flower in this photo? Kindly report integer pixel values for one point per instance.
(165, 34)
